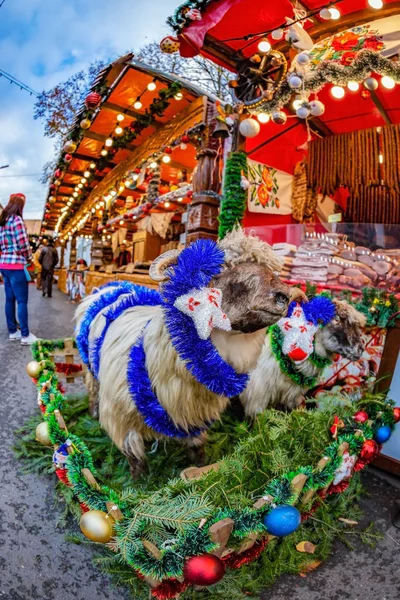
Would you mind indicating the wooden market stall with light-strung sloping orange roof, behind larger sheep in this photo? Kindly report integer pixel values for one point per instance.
(127, 173)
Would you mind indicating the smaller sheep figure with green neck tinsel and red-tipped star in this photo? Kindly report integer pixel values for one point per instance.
(298, 348)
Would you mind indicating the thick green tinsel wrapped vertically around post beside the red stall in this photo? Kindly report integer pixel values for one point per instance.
(234, 196)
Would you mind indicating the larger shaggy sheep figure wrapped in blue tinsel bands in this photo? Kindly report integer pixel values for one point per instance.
(164, 364)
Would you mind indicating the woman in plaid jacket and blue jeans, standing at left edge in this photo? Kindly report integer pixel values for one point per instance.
(14, 259)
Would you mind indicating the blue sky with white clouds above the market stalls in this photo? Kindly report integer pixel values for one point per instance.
(43, 42)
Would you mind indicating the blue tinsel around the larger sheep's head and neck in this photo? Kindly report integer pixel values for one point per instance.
(197, 266)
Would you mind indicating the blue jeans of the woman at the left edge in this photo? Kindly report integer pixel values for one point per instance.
(16, 290)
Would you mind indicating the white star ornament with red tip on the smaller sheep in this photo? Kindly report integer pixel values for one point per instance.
(298, 334)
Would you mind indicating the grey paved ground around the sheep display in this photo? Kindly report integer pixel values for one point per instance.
(36, 562)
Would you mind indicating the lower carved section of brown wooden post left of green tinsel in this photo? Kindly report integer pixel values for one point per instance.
(203, 211)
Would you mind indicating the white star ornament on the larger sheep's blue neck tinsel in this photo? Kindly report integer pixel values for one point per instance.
(204, 307)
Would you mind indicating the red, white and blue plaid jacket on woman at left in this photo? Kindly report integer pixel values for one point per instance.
(14, 242)
